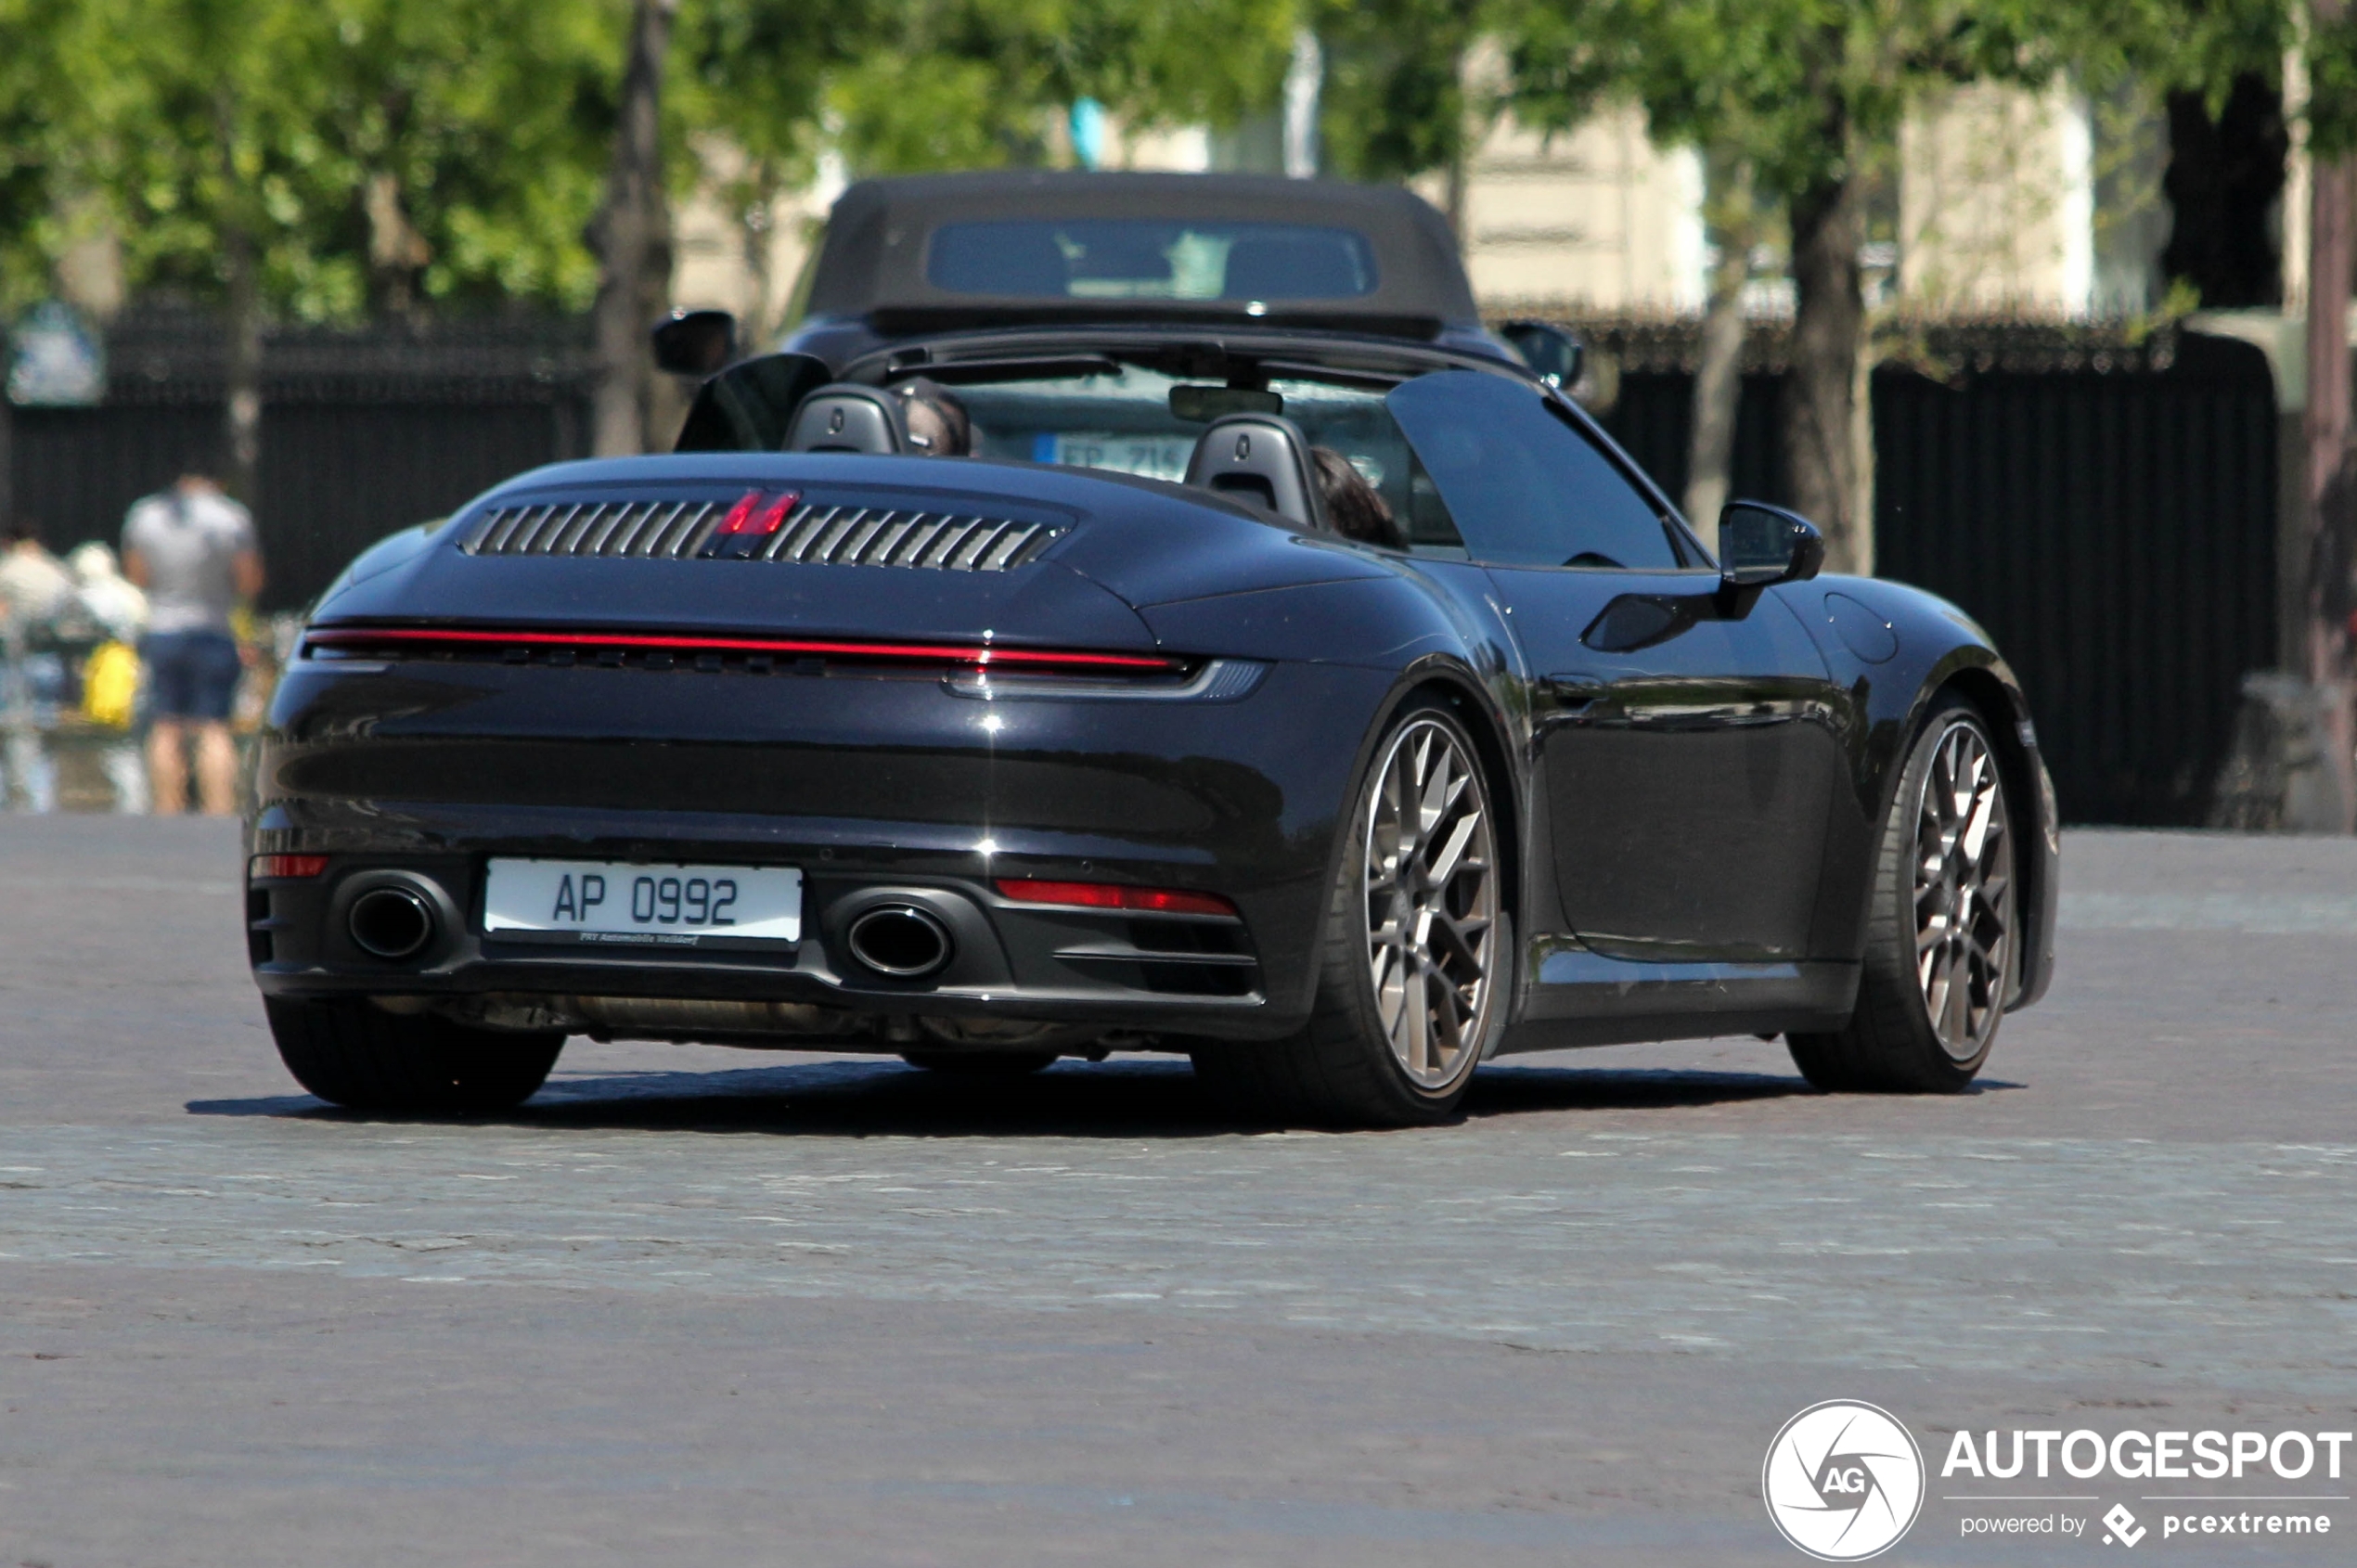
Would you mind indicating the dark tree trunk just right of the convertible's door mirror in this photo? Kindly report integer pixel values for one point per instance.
(1825, 336)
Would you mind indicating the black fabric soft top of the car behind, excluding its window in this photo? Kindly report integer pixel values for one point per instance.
(876, 256)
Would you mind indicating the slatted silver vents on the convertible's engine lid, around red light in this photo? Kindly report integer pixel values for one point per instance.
(814, 534)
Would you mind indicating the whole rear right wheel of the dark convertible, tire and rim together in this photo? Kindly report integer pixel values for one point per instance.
(1418, 956)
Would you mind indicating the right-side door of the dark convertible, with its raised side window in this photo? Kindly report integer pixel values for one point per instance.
(1686, 737)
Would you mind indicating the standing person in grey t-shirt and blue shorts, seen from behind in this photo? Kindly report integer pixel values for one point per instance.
(194, 551)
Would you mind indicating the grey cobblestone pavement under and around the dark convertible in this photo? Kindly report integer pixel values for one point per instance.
(729, 1307)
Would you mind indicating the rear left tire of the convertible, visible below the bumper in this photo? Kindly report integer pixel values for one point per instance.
(362, 1058)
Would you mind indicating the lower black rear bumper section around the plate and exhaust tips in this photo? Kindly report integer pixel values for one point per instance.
(1005, 961)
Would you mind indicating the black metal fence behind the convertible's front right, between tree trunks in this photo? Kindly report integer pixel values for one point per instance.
(2113, 527)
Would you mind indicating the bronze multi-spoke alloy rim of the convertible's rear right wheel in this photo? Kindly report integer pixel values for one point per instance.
(1432, 904)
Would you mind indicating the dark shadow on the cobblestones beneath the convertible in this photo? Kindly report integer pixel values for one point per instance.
(1114, 1100)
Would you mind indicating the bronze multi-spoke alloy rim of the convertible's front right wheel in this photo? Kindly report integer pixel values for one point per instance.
(1965, 892)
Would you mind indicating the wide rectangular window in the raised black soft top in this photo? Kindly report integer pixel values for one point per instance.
(1133, 258)
